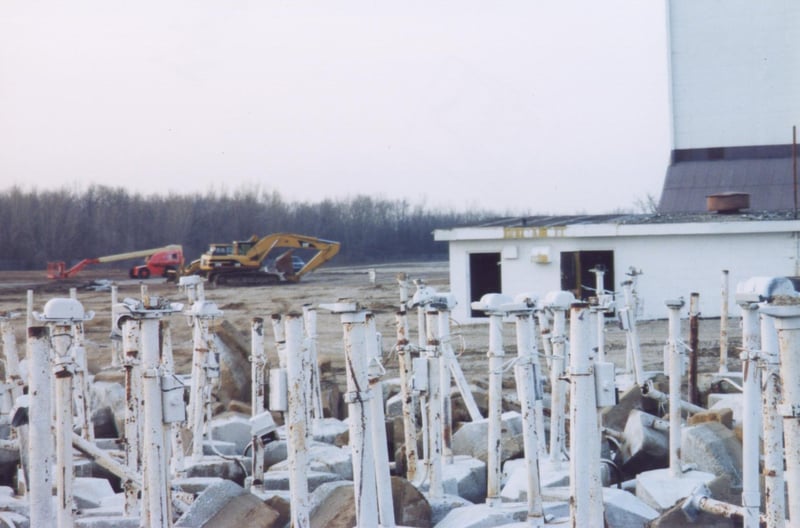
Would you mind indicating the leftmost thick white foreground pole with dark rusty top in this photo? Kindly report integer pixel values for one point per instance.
(40, 439)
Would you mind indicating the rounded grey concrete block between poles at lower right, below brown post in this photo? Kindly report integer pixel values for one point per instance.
(713, 448)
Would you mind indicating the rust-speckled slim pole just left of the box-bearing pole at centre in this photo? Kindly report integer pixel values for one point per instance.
(407, 394)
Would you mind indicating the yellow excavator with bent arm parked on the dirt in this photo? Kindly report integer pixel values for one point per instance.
(249, 262)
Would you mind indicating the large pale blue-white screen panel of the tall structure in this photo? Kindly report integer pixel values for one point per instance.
(734, 74)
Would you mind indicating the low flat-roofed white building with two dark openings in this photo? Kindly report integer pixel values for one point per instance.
(676, 256)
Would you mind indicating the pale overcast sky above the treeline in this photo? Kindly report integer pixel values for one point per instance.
(517, 106)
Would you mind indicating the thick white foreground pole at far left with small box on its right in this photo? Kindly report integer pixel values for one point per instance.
(156, 510)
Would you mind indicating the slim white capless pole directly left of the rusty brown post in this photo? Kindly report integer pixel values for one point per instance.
(675, 364)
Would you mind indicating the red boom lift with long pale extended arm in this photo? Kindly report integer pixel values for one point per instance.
(159, 262)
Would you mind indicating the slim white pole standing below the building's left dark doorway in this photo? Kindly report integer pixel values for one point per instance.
(496, 356)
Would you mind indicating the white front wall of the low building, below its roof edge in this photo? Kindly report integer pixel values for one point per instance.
(673, 265)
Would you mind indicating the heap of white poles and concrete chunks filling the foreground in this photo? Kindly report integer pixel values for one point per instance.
(238, 442)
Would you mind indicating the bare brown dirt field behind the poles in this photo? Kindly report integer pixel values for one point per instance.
(241, 304)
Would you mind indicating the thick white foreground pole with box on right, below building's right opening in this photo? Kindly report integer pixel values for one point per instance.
(586, 499)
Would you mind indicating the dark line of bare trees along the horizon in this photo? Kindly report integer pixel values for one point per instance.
(70, 225)
